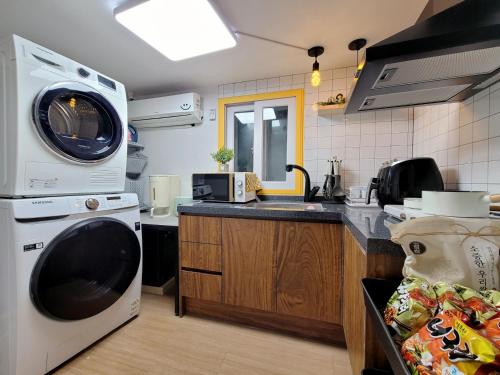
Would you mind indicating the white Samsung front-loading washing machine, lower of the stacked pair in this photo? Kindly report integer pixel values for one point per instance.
(70, 272)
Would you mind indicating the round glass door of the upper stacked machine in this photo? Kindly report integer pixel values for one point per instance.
(77, 122)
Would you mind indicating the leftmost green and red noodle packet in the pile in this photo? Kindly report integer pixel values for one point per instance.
(410, 307)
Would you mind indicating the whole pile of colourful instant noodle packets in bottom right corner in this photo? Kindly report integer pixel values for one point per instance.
(446, 329)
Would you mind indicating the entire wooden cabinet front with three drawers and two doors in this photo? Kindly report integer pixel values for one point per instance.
(279, 275)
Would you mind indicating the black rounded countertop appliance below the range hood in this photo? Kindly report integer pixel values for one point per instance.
(405, 179)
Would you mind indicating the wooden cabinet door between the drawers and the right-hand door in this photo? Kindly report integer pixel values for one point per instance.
(248, 263)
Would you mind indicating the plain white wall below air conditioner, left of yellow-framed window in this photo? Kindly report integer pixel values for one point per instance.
(185, 150)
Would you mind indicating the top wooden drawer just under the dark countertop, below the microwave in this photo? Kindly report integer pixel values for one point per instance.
(200, 229)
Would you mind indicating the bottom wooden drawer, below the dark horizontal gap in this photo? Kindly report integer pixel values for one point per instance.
(201, 286)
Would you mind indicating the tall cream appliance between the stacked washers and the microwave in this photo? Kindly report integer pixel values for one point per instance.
(162, 192)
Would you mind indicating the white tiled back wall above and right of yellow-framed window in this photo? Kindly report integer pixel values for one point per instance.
(362, 141)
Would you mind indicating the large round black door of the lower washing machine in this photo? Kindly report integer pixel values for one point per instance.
(85, 269)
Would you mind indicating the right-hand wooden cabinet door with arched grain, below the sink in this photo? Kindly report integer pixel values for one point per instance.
(309, 270)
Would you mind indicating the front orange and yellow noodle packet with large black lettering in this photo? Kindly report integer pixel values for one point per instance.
(446, 345)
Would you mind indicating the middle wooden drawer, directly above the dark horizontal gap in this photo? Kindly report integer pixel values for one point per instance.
(201, 256)
